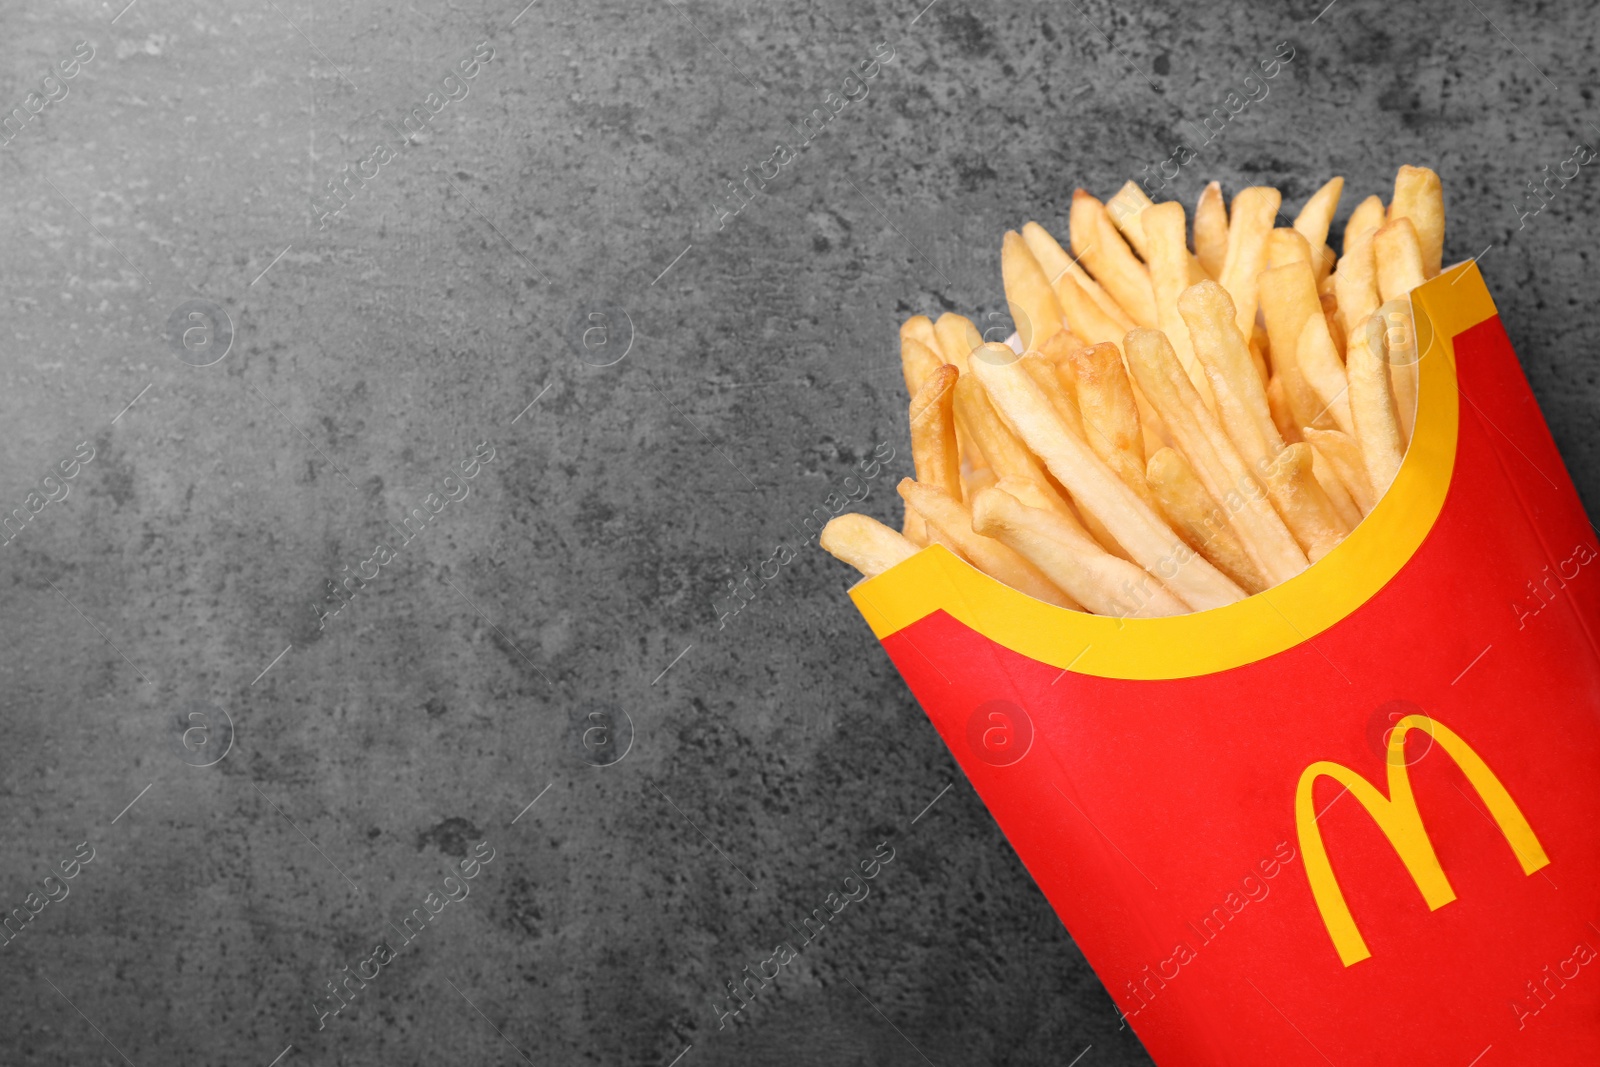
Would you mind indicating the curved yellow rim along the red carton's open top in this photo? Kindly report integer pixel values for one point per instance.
(1252, 629)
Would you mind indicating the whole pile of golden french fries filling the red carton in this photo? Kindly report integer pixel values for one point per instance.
(1146, 449)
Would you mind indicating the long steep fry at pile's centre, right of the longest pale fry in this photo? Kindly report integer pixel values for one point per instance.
(1222, 470)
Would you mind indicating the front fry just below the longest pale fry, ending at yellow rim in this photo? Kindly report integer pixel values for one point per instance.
(1103, 583)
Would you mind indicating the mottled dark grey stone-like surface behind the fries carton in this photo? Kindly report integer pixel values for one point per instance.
(375, 354)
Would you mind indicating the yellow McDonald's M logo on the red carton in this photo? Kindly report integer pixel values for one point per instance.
(1398, 817)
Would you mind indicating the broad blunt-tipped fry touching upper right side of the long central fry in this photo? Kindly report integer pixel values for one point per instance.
(1236, 383)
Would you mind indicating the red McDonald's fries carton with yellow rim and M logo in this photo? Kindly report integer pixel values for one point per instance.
(1353, 820)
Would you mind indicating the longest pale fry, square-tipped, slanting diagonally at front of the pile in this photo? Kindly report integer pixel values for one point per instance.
(1098, 490)
